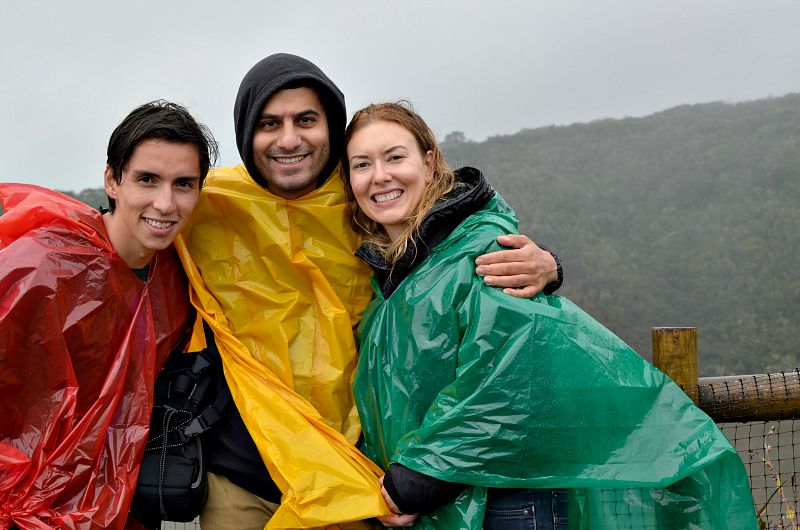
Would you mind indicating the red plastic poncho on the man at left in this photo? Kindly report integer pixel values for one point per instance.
(81, 340)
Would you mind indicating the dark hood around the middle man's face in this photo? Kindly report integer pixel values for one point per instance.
(267, 77)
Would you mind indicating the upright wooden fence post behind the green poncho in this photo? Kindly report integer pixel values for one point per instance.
(675, 354)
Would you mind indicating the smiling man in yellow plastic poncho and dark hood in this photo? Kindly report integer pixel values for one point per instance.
(270, 257)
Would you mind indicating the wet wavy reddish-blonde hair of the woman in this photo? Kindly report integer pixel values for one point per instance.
(441, 182)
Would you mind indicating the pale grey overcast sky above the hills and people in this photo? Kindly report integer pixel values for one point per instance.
(70, 71)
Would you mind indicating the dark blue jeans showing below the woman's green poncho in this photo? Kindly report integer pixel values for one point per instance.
(526, 510)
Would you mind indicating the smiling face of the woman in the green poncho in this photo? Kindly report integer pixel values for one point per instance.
(388, 173)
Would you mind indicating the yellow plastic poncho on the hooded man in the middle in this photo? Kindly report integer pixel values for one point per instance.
(278, 283)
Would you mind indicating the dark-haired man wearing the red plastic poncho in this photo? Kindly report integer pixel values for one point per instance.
(91, 305)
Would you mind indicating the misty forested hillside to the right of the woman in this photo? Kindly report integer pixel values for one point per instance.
(688, 217)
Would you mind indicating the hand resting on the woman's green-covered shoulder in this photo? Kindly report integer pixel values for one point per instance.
(523, 271)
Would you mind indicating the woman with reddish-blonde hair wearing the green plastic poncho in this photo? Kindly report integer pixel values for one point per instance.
(482, 407)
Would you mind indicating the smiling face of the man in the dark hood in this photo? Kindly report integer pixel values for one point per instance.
(291, 143)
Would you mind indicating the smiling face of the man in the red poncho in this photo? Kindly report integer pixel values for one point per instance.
(158, 189)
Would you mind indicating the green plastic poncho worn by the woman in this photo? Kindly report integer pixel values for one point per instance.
(461, 382)
